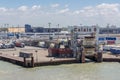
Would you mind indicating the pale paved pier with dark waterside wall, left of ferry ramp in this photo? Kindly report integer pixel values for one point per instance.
(39, 58)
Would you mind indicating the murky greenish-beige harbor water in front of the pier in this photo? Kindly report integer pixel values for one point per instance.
(85, 71)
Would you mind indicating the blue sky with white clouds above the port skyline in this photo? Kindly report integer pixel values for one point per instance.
(62, 12)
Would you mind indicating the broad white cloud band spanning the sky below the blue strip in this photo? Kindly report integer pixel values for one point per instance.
(101, 14)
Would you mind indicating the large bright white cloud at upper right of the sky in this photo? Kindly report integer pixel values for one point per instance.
(100, 10)
